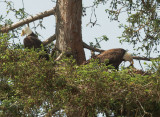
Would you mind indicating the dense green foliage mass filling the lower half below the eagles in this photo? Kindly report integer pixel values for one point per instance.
(32, 87)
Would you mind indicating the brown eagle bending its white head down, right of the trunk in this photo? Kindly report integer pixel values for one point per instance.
(114, 57)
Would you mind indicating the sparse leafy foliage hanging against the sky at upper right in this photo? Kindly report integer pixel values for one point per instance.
(142, 26)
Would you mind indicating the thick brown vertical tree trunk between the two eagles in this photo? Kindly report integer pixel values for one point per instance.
(68, 28)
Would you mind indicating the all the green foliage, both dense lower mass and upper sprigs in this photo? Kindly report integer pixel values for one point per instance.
(30, 86)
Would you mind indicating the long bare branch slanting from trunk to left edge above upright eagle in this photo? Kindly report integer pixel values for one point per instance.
(28, 20)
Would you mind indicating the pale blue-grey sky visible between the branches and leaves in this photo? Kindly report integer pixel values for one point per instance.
(105, 27)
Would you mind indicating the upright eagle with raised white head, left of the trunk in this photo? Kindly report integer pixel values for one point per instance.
(31, 41)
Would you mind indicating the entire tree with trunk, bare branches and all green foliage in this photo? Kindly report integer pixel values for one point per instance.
(32, 87)
